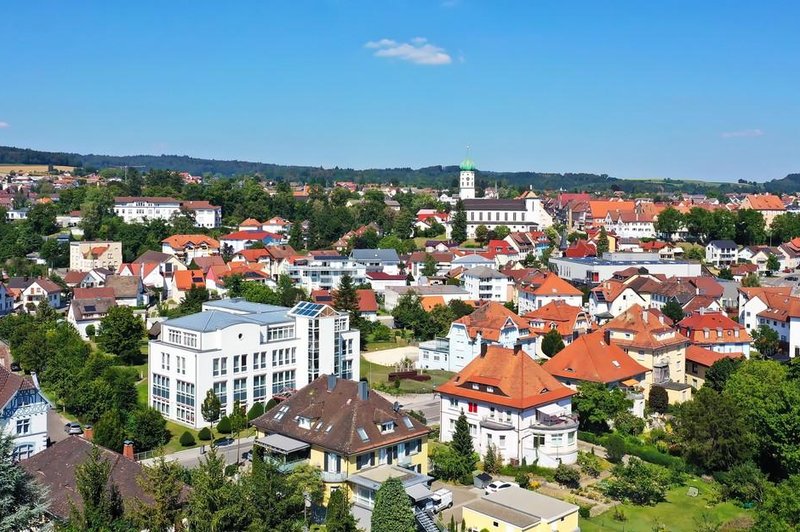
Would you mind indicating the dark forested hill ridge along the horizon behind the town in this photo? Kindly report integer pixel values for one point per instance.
(438, 176)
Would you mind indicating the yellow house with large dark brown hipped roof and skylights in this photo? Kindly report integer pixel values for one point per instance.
(345, 430)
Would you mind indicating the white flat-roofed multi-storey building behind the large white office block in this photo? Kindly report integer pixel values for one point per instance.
(325, 271)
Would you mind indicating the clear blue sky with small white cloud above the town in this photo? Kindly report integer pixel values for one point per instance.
(681, 89)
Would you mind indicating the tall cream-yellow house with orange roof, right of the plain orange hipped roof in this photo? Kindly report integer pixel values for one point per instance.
(648, 337)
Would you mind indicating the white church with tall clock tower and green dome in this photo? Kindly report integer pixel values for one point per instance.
(522, 214)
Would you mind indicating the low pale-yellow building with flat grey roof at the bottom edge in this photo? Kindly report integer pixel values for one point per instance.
(519, 510)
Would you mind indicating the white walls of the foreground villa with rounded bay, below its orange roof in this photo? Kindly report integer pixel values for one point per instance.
(543, 435)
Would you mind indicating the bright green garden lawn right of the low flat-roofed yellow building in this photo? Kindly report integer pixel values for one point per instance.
(679, 513)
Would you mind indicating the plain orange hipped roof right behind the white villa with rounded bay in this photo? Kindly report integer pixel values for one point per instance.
(590, 358)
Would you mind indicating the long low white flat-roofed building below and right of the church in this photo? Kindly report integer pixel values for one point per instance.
(596, 270)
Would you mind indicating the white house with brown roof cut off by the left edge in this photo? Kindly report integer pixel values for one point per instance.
(23, 414)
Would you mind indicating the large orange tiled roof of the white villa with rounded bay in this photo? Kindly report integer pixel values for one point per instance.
(520, 380)
